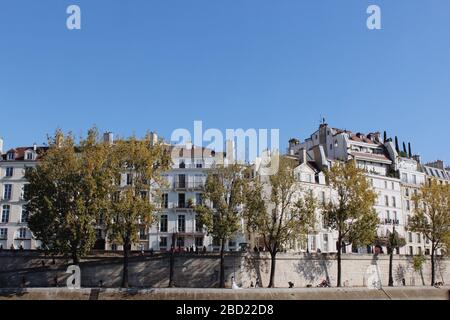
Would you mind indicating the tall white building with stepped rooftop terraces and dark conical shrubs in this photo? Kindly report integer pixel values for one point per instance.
(371, 154)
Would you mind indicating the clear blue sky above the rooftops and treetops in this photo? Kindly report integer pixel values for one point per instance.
(160, 65)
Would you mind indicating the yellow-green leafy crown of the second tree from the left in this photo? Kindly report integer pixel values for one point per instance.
(131, 207)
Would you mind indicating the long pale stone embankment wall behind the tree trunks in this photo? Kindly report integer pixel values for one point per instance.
(32, 269)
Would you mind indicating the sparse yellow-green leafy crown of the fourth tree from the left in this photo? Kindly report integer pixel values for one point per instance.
(276, 212)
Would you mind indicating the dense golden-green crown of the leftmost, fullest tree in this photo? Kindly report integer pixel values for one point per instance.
(67, 192)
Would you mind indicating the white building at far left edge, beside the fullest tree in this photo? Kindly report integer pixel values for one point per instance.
(14, 232)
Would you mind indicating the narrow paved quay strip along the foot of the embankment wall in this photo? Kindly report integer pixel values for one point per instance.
(400, 293)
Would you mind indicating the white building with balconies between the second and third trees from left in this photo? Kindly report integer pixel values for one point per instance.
(177, 222)
